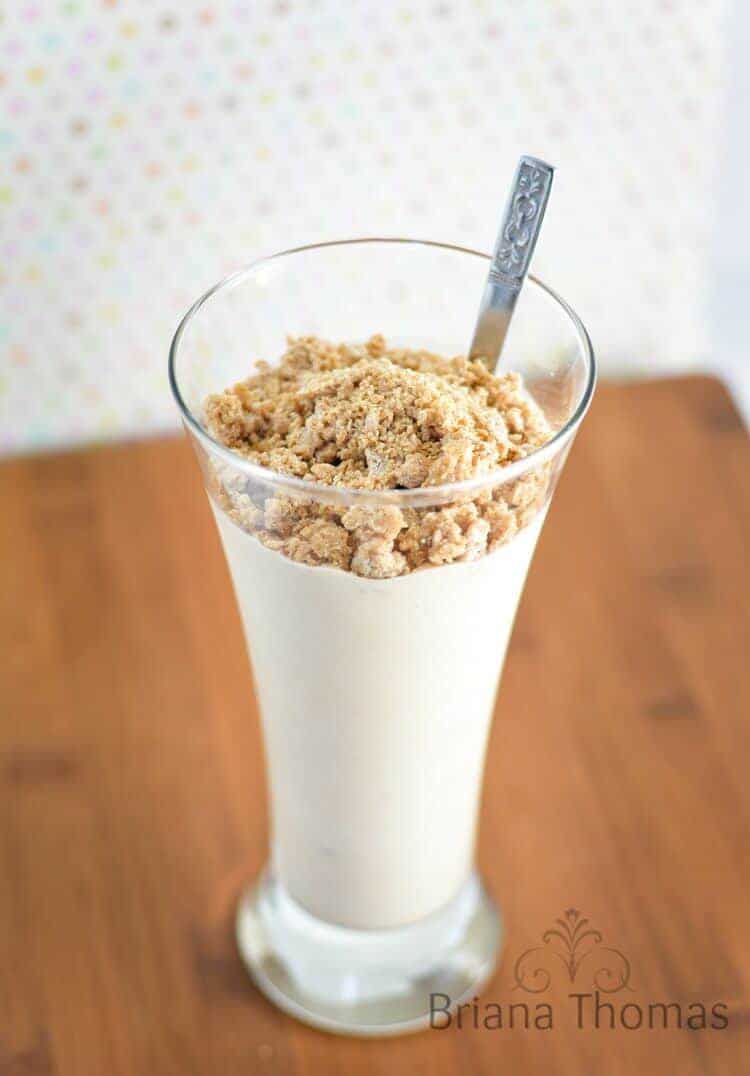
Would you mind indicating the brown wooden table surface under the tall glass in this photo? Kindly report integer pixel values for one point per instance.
(132, 775)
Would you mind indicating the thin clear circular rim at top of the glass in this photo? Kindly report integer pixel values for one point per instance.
(403, 498)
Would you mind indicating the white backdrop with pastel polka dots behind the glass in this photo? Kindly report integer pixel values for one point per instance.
(148, 149)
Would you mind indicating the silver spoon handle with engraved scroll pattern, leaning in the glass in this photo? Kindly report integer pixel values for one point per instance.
(516, 243)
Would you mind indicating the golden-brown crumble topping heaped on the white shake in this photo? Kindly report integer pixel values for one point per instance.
(373, 418)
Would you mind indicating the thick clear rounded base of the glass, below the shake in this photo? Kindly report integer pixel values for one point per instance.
(366, 983)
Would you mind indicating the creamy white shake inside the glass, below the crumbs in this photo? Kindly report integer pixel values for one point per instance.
(377, 698)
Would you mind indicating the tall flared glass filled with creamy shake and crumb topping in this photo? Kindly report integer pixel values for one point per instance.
(379, 505)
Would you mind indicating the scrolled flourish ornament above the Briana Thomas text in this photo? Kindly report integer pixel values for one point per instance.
(576, 945)
